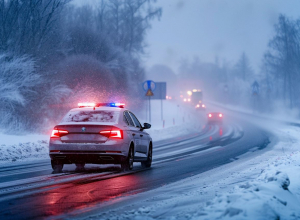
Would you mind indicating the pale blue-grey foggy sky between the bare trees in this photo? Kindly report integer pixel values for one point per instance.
(215, 28)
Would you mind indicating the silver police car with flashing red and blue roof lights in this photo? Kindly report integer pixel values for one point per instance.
(100, 133)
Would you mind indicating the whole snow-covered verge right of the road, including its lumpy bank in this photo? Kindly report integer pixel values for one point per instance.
(266, 186)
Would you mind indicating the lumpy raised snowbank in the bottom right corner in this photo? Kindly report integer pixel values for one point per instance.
(275, 194)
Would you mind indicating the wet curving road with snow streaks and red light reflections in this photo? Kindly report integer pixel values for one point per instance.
(30, 191)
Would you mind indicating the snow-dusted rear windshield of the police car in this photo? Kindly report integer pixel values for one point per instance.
(91, 116)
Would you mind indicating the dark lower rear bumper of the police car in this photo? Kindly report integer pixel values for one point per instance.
(88, 157)
